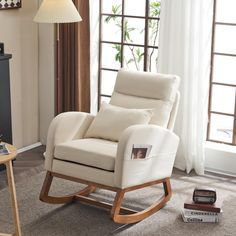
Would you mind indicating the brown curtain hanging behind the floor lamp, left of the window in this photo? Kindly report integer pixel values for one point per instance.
(74, 62)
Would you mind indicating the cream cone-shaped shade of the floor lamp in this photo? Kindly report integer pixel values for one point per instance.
(57, 11)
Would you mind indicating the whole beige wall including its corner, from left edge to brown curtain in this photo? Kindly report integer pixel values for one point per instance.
(31, 72)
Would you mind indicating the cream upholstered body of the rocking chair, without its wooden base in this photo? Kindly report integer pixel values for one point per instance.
(71, 150)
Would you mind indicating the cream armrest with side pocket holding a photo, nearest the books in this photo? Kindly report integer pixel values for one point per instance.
(157, 165)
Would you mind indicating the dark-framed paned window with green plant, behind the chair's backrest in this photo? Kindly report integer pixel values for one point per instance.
(128, 38)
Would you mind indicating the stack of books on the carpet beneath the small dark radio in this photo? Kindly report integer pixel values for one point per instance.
(195, 212)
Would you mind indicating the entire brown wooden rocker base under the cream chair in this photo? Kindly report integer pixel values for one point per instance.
(118, 214)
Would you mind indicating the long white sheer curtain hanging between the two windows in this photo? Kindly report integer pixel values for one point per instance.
(184, 49)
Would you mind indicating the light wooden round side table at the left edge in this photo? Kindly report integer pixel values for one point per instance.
(7, 160)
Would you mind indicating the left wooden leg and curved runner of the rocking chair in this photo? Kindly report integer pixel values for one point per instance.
(44, 194)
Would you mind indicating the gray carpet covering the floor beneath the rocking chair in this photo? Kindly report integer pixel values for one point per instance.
(75, 219)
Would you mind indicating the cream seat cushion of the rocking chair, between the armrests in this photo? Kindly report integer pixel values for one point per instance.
(90, 152)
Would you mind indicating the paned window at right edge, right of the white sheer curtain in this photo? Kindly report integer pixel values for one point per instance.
(222, 105)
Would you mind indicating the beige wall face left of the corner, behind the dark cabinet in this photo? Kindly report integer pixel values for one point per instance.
(19, 34)
